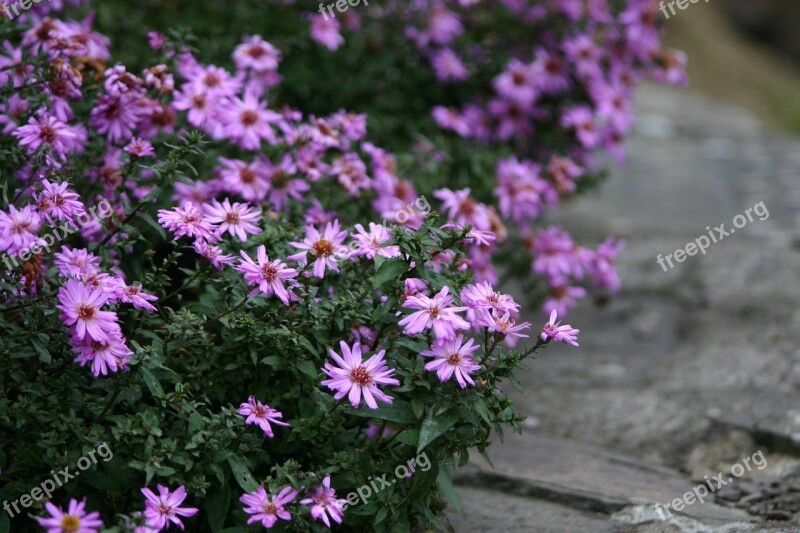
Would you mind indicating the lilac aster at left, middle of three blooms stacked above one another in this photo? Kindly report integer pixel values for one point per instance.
(80, 306)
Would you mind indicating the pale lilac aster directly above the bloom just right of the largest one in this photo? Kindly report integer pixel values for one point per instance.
(434, 313)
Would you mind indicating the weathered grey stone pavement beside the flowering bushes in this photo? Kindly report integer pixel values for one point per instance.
(684, 373)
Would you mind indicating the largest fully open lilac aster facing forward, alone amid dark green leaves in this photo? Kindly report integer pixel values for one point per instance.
(354, 376)
